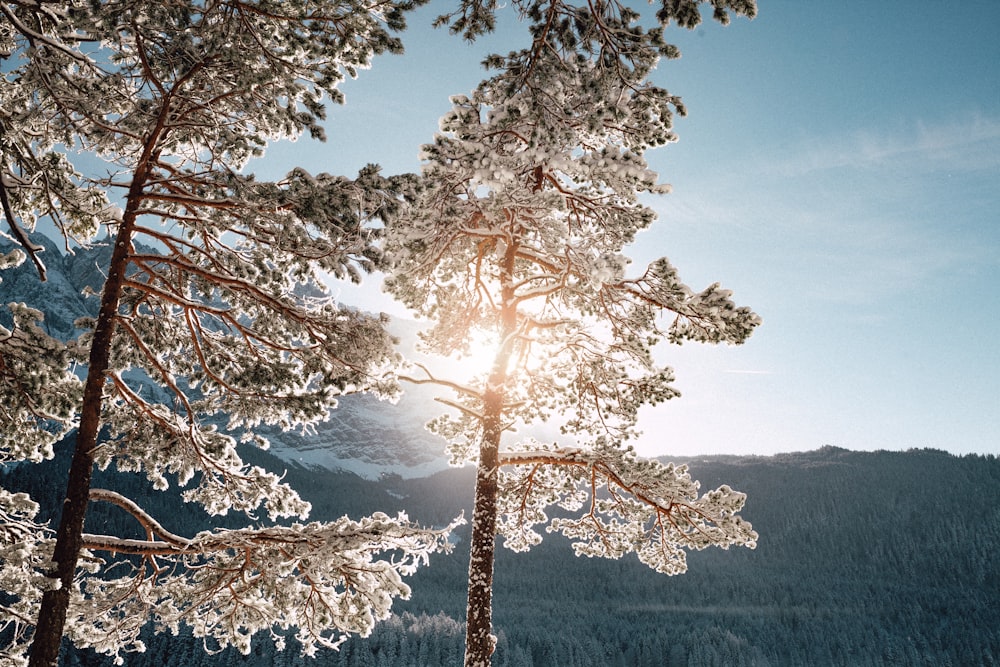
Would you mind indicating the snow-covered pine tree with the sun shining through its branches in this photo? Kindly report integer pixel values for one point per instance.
(531, 194)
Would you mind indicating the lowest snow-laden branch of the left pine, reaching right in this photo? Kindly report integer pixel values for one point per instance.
(327, 580)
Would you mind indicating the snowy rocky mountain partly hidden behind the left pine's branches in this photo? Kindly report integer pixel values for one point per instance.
(362, 435)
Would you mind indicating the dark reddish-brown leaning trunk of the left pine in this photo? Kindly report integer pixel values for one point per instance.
(55, 602)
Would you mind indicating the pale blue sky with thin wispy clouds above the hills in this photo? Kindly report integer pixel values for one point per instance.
(839, 170)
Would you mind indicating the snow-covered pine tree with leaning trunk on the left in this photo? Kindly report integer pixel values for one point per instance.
(224, 325)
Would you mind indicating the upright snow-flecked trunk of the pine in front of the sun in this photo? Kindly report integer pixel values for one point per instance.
(479, 640)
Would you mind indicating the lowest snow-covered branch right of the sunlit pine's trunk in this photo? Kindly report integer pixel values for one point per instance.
(625, 504)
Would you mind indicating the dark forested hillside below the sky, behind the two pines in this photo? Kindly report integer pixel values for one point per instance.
(864, 559)
